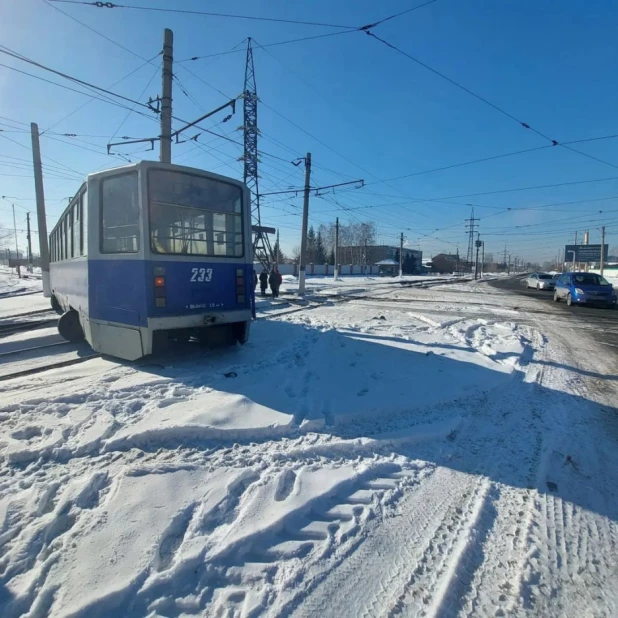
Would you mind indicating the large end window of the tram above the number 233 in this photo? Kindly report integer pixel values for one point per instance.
(194, 215)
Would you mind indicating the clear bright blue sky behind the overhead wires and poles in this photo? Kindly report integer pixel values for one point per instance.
(362, 109)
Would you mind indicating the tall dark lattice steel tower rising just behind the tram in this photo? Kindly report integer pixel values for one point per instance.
(262, 251)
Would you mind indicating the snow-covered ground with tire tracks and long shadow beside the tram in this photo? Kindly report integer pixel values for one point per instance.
(377, 451)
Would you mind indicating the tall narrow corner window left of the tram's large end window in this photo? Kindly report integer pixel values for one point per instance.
(120, 214)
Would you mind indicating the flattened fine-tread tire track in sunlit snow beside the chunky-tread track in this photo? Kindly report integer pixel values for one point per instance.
(393, 562)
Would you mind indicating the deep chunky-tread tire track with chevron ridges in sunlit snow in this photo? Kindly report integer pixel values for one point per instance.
(291, 558)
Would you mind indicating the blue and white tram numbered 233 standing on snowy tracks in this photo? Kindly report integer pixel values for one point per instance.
(151, 251)
